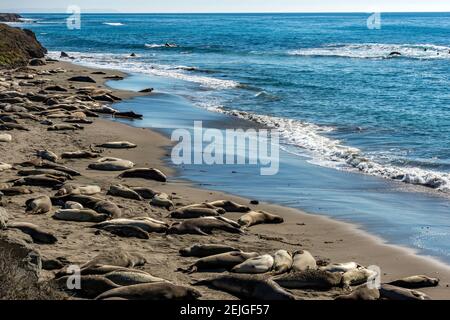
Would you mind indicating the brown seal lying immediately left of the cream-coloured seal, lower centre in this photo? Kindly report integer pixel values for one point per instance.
(223, 261)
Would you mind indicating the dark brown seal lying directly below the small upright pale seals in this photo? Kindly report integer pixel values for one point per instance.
(309, 279)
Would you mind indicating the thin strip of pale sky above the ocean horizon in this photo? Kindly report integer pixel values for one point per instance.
(188, 6)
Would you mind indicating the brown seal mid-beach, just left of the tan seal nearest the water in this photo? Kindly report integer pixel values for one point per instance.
(201, 226)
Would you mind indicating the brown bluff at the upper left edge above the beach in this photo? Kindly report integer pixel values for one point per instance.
(18, 46)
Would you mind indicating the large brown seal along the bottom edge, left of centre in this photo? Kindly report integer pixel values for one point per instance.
(152, 291)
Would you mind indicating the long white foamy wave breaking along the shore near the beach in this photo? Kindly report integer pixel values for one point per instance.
(330, 152)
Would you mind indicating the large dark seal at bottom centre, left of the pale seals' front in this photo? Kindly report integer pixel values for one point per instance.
(248, 287)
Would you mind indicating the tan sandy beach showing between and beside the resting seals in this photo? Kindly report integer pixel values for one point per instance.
(329, 241)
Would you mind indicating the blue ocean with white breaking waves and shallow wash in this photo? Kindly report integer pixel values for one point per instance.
(365, 133)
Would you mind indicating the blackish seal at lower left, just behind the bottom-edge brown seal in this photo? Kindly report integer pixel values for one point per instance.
(90, 285)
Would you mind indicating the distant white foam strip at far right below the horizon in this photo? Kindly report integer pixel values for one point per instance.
(377, 51)
